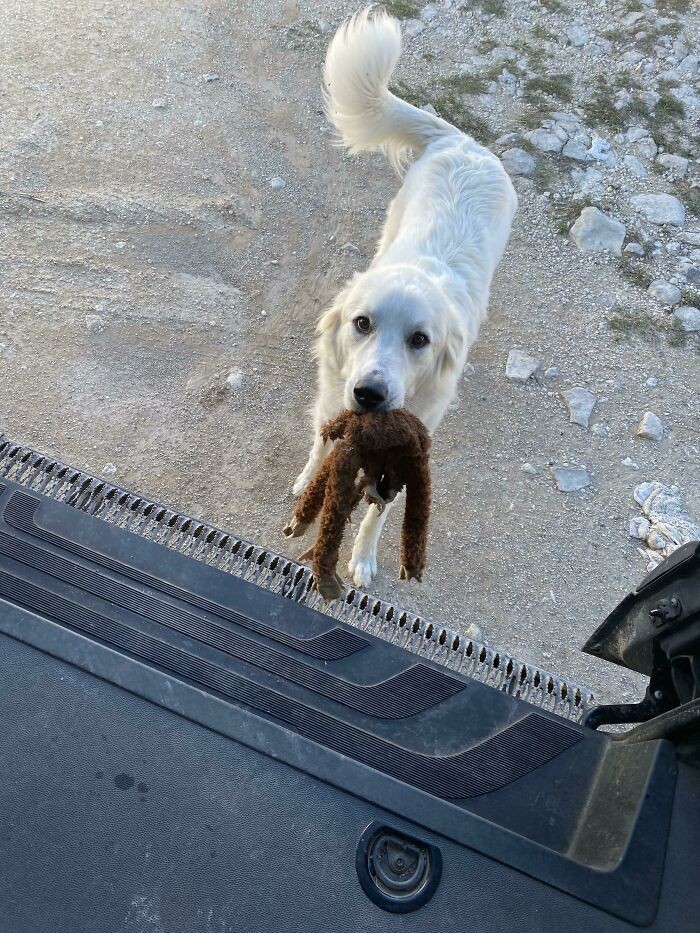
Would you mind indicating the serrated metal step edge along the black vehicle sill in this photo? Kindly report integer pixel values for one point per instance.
(289, 579)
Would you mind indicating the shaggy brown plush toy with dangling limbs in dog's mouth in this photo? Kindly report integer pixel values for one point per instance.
(391, 449)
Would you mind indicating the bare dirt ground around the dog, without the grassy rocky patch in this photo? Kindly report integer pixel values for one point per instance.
(138, 145)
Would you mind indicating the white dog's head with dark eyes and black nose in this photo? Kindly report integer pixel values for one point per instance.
(392, 338)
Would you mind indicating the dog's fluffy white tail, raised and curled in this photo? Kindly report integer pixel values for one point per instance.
(368, 117)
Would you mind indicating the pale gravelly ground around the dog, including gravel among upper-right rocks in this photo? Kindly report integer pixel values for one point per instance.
(159, 283)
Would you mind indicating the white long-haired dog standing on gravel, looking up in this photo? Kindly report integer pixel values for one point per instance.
(399, 333)
